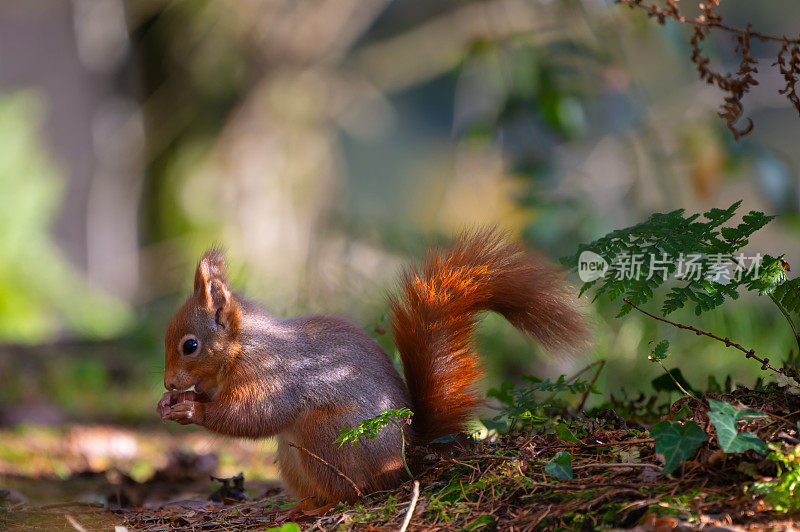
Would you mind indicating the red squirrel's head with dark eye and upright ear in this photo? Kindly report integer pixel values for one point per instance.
(202, 338)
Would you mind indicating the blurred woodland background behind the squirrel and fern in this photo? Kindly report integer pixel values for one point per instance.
(324, 143)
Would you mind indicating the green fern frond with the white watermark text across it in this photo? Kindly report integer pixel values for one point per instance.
(642, 258)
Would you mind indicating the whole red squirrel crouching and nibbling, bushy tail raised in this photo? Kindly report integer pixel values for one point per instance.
(302, 379)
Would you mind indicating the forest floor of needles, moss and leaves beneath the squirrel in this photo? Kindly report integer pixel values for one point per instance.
(96, 478)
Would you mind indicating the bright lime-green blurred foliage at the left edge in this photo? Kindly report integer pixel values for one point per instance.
(39, 290)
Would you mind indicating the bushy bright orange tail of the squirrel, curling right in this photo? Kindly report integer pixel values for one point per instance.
(433, 320)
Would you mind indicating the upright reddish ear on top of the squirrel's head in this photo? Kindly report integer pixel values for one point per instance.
(213, 291)
